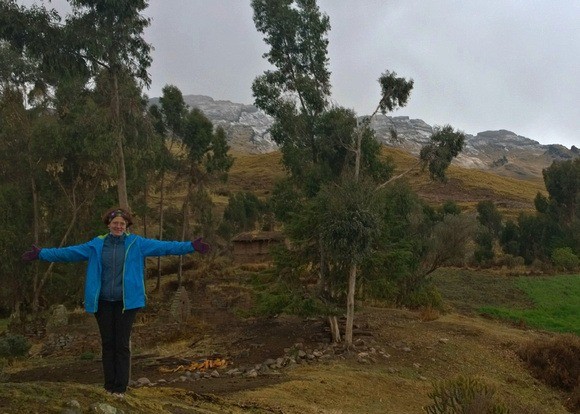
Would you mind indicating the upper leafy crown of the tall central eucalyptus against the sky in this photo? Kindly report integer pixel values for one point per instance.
(296, 32)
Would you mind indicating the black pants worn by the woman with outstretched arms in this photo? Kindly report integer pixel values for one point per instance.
(115, 328)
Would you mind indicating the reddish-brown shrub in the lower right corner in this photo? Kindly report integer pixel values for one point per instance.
(556, 363)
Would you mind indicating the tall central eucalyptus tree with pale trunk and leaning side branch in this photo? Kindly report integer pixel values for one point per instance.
(320, 144)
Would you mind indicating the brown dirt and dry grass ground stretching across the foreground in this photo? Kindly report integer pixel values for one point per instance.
(397, 353)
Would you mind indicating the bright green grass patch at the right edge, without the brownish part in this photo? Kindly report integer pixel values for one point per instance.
(556, 304)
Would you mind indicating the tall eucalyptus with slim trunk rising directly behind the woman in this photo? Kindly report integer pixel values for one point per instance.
(97, 38)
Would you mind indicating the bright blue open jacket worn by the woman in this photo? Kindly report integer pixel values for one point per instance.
(137, 248)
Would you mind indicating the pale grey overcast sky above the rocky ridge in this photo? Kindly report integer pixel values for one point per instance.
(477, 65)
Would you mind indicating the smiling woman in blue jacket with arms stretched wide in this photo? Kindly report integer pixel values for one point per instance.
(115, 285)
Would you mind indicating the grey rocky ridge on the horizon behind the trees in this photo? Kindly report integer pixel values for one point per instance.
(502, 152)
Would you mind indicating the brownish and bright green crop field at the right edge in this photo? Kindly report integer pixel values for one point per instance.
(549, 303)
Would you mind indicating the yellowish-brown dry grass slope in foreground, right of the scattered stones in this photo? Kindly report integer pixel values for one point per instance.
(402, 382)
